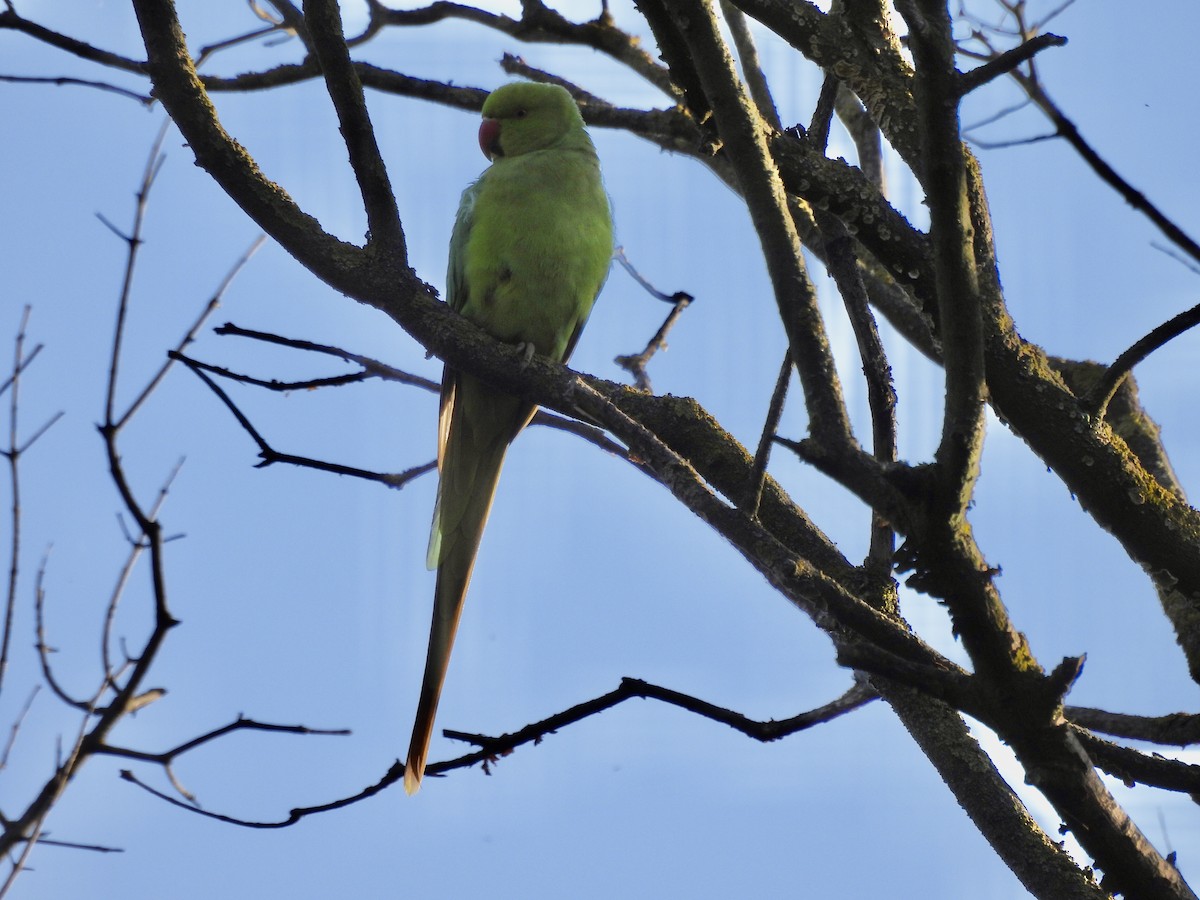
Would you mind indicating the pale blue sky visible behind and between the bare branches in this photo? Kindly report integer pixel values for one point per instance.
(305, 599)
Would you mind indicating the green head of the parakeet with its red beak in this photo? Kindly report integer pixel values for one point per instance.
(524, 117)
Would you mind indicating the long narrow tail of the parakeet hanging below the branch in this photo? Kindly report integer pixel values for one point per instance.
(483, 424)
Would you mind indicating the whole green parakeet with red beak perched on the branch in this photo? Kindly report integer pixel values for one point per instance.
(529, 255)
